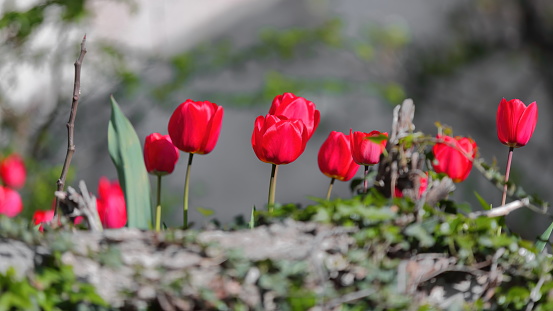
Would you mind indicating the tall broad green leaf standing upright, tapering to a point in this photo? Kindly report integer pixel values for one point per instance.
(126, 153)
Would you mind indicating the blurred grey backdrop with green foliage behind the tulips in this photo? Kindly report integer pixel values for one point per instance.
(355, 59)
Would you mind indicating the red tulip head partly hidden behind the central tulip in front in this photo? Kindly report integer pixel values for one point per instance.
(297, 108)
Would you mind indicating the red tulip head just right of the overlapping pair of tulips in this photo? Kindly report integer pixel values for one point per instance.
(335, 160)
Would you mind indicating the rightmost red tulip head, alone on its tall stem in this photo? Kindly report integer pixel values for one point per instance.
(515, 122)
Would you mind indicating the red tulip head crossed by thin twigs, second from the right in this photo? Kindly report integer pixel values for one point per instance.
(453, 156)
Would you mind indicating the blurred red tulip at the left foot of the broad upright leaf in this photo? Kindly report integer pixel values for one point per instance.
(111, 204)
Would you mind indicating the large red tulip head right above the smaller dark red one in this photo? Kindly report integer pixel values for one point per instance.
(194, 127)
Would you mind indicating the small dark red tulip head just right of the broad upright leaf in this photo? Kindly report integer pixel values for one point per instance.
(160, 155)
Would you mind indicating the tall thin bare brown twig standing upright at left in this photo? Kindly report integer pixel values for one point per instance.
(71, 122)
